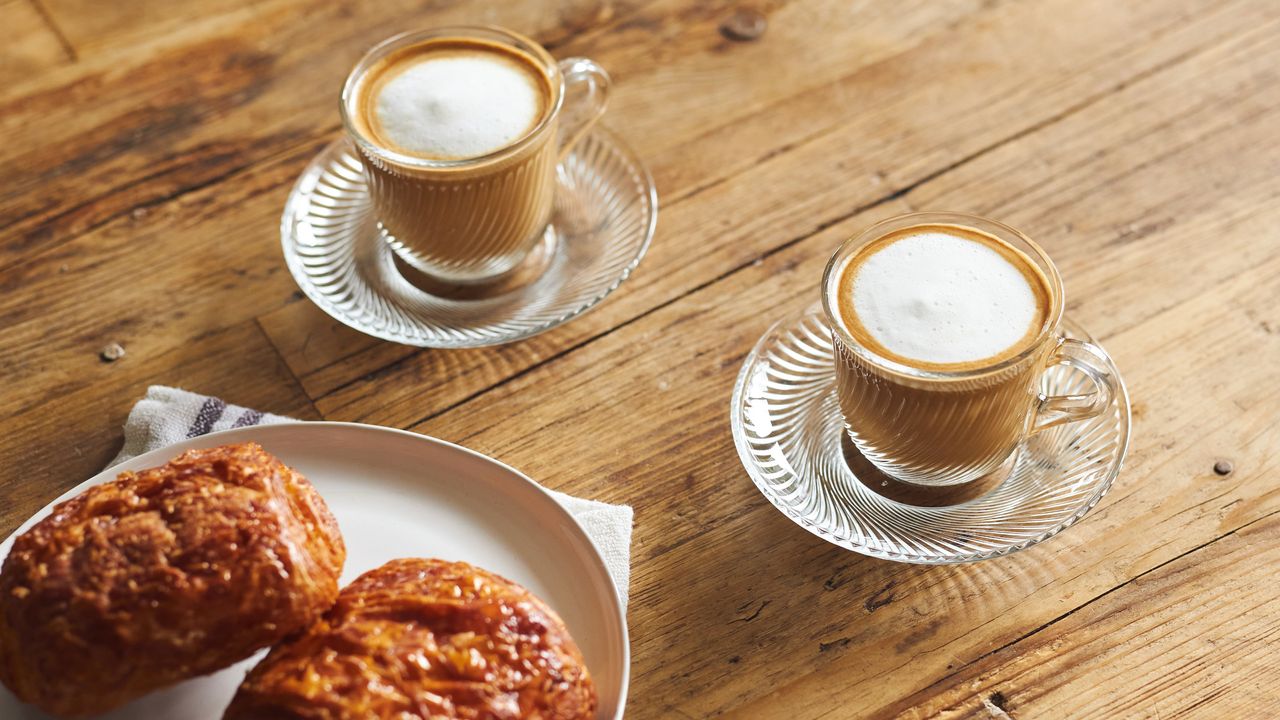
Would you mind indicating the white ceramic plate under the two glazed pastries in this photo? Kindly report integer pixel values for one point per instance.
(403, 495)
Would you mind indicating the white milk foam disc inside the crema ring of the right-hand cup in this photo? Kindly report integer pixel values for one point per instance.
(938, 298)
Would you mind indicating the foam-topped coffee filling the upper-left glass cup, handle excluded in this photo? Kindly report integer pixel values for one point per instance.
(458, 136)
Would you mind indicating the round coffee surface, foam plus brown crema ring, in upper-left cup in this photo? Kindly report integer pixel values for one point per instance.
(452, 99)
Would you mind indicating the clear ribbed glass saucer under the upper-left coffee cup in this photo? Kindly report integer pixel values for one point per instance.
(606, 213)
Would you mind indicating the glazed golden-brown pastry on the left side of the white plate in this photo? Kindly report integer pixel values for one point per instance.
(162, 576)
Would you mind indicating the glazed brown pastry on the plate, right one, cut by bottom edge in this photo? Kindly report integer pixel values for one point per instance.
(419, 640)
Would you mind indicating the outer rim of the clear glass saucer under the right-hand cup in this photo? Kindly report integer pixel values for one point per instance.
(744, 454)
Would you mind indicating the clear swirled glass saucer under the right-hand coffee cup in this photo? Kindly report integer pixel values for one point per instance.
(792, 439)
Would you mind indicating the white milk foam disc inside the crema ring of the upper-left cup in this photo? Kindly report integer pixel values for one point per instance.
(458, 106)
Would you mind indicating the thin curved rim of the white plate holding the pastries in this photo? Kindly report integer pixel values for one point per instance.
(148, 459)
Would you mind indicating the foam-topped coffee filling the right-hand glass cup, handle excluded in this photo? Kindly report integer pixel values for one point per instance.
(939, 299)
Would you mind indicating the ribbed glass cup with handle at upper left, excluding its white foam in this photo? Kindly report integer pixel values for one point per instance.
(474, 220)
